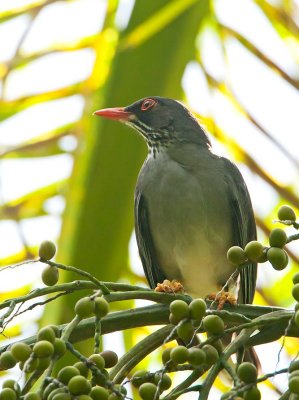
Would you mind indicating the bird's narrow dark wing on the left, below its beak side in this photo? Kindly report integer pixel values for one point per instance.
(153, 272)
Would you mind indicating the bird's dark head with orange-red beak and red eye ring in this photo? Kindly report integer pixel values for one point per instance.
(161, 121)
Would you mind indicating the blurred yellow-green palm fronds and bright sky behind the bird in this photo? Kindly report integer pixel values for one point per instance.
(69, 177)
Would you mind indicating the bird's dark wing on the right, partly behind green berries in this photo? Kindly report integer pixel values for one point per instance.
(244, 228)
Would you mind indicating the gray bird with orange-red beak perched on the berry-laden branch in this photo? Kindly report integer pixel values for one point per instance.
(191, 205)
